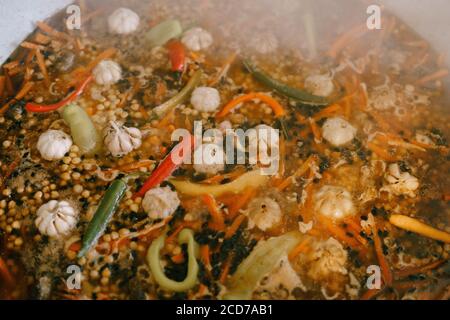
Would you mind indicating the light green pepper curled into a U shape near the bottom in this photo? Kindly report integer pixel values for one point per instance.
(153, 259)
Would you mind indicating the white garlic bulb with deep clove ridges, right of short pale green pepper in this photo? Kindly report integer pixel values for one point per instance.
(121, 140)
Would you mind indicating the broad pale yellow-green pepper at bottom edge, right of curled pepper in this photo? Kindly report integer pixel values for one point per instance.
(259, 263)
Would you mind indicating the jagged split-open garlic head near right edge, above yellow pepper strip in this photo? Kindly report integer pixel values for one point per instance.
(400, 183)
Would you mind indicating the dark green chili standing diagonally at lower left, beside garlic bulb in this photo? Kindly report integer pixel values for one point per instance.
(108, 205)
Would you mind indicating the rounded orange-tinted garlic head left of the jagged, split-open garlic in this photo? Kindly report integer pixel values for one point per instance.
(334, 202)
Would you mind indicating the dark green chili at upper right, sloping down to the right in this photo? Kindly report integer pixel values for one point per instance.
(294, 93)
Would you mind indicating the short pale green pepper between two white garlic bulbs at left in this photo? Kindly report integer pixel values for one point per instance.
(82, 129)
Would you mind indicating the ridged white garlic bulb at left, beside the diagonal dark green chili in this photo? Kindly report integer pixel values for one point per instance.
(56, 218)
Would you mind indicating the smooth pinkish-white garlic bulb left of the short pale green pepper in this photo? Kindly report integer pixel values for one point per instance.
(54, 144)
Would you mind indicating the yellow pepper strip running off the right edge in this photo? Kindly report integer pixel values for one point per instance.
(414, 225)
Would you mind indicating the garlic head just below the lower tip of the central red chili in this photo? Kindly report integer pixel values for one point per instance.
(159, 203)
